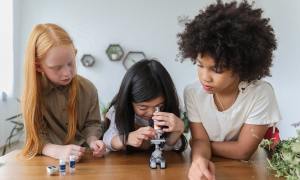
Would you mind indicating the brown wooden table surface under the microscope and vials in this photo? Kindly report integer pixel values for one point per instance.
(118, 165)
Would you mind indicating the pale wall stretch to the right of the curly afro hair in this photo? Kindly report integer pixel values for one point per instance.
(284, 17)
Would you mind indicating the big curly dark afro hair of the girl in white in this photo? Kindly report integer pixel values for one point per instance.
(235, 35)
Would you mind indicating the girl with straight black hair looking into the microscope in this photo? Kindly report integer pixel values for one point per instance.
(146, 86)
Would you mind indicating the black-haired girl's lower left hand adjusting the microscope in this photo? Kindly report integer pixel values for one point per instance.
(137, 137)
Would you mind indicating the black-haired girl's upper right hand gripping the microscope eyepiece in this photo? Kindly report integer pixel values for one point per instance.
(168, 121)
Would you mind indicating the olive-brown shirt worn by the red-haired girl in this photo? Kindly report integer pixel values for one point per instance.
(55, 114)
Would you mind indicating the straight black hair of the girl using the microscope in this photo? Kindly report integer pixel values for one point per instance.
(144, 81)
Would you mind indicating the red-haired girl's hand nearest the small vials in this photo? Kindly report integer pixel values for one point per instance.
(64, 152)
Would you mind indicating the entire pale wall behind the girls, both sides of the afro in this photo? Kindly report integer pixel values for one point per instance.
(151, 26)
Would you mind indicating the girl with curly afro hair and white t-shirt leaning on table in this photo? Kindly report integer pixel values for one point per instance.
(230, 108)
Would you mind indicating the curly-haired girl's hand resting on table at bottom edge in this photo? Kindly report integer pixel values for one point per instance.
(202, 168)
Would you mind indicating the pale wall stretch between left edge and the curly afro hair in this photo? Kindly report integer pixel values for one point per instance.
(149, 26)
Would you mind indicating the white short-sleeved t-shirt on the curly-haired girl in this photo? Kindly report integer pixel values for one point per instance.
(255, 104)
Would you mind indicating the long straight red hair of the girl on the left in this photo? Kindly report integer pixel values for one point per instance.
(42, 39)
